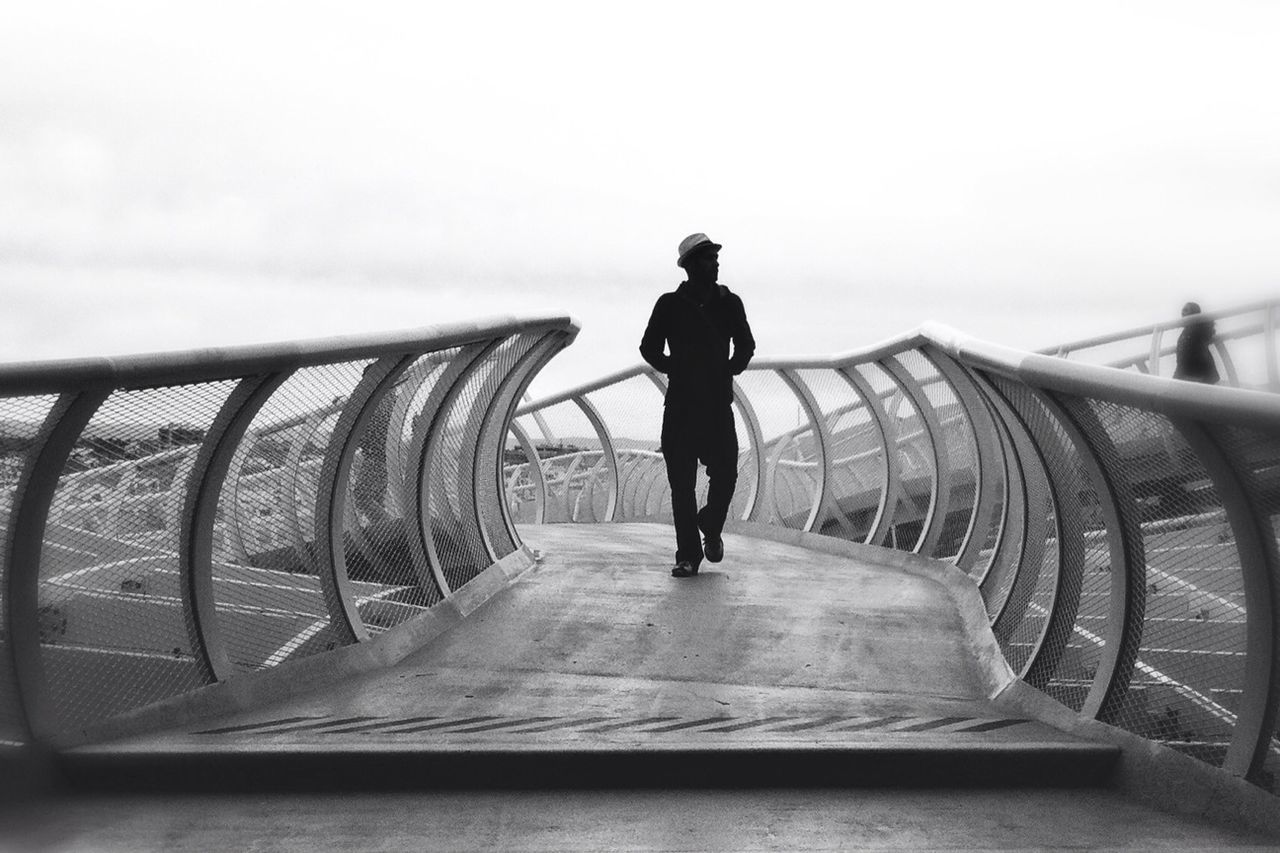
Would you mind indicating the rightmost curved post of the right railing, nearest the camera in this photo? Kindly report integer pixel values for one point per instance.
(1260, 571)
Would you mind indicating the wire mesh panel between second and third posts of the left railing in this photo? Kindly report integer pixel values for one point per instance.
(271, 608)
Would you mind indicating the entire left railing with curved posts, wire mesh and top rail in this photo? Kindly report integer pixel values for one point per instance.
(170, 522)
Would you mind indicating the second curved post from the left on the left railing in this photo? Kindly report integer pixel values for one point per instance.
(203, 487)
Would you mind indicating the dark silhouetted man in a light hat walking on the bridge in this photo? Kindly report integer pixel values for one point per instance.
(697, 322)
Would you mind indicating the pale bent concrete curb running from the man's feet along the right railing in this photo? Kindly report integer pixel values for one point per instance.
(994, 670)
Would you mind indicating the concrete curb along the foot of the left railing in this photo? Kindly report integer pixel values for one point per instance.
(249, 691)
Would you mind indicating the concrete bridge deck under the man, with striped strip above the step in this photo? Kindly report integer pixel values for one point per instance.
(598, 647)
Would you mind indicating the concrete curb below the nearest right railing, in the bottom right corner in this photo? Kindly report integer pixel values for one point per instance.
(1156, 776)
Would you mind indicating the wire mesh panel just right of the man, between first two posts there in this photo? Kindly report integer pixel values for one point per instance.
(793, 475)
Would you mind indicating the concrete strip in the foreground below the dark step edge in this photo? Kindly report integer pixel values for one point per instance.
(620, 820)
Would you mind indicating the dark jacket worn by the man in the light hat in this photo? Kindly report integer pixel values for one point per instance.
(697, 363)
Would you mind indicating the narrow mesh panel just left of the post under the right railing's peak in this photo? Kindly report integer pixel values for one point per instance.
(961, 451)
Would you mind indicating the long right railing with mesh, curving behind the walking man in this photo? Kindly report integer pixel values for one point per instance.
(1122, 528)
